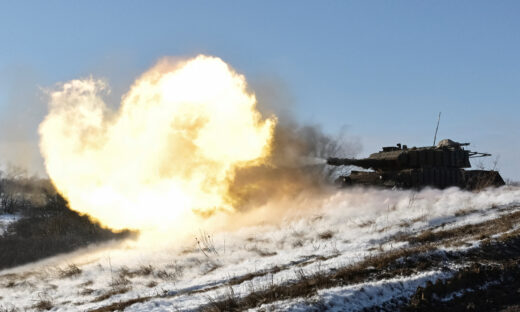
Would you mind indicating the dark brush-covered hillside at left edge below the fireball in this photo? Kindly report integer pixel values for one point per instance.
(47, 226)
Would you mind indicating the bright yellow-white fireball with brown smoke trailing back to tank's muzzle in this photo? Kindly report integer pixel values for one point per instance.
(187, 138)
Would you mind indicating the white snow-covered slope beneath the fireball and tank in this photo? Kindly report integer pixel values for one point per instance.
(335, 230)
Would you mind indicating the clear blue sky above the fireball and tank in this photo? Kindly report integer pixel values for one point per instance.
(379, 70)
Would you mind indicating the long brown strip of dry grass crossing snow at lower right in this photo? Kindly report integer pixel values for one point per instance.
(418, 257)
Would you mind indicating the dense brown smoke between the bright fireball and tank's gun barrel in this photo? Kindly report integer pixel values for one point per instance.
(296, 166)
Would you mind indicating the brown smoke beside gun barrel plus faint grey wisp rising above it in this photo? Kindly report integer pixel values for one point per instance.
(296, 166)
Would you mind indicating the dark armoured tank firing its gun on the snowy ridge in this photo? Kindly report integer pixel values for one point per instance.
(439, 166)
